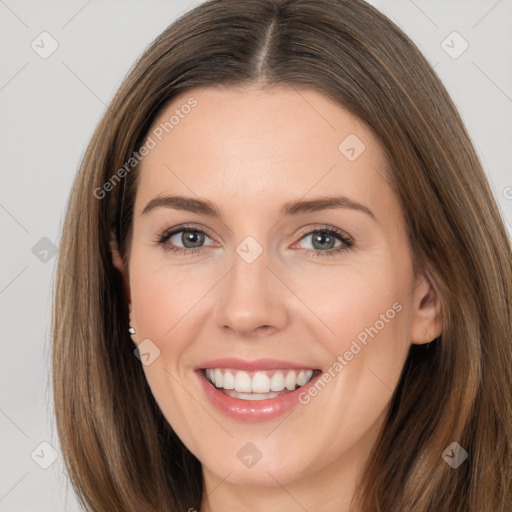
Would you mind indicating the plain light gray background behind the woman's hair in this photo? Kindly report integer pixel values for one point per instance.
(48, 110)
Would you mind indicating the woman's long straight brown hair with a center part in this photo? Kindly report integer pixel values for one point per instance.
(120, 452)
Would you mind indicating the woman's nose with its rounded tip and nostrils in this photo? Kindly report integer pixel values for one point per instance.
(252, 299)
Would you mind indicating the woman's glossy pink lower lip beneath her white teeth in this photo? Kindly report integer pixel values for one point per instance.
(253, 411)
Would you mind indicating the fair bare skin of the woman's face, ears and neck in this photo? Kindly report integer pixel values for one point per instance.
(248, 151)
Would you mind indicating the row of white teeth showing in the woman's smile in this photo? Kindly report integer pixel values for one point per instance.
(261, 382)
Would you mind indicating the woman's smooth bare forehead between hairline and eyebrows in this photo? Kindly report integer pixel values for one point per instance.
(281, 143)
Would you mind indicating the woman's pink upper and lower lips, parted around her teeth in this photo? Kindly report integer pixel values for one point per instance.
(253, 411)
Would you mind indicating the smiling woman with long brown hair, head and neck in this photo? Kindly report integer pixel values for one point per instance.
(273, 372)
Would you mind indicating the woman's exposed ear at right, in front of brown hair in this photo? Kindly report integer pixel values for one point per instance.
(426, 324)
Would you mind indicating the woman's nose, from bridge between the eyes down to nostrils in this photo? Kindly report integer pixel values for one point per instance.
(251, 296)
